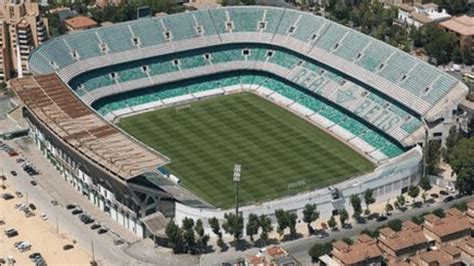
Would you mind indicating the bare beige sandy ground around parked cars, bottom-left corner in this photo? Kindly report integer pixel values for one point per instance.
(40, 234)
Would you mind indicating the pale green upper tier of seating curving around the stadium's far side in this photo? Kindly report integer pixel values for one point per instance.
(398, 68)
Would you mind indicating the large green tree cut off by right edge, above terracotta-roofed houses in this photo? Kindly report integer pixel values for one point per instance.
(461, 160)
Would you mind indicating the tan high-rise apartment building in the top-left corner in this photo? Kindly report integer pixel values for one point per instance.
(21, 30)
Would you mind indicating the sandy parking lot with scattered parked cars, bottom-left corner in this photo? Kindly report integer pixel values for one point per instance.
(34, 235)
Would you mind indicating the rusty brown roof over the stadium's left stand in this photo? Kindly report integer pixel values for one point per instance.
(51, 101)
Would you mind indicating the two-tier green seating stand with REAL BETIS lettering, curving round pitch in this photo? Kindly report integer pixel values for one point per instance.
(384, 108)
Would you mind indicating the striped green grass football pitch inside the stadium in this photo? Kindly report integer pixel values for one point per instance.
(280, 153)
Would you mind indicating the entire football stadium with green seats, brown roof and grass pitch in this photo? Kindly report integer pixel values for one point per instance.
(147, 118)
